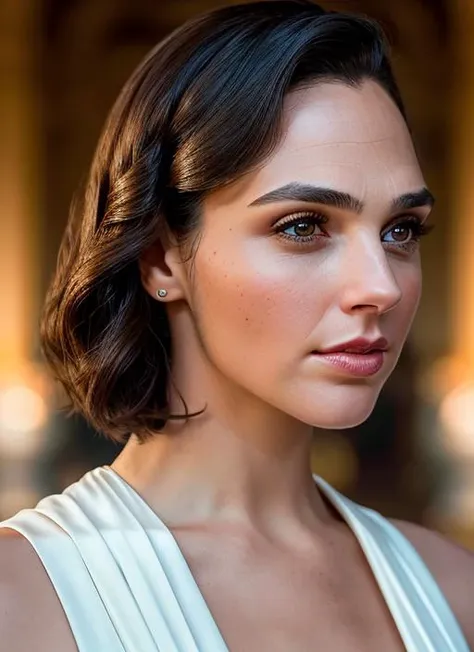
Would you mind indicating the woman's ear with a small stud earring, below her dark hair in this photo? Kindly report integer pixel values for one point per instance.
(161, 267)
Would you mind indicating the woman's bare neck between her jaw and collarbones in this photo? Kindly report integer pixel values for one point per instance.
(241, 461)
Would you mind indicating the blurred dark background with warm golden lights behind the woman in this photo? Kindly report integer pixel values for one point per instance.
(62, 63)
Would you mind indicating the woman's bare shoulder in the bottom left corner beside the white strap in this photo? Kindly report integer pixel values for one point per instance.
(31, 616)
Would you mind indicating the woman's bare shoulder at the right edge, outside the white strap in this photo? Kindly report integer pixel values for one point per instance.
(451, 565)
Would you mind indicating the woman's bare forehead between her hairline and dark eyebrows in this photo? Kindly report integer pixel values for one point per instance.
(354, 139)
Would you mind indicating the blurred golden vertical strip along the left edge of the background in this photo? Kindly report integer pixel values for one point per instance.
(19, 184)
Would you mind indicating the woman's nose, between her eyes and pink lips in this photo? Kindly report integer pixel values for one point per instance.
(369, 284)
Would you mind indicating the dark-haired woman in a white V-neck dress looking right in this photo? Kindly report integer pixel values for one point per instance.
(244, 266)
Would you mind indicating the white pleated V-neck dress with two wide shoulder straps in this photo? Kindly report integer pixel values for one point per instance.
(126, 587)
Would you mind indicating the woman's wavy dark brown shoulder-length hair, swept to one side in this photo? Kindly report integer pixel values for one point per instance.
(204, 107)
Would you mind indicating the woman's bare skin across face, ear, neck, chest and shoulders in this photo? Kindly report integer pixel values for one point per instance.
(234, 485)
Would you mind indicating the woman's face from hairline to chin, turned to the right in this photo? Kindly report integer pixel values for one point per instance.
(317, 248)
